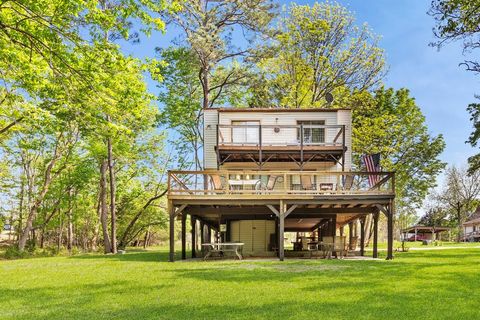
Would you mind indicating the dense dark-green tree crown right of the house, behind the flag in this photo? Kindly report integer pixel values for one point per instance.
(390, 123)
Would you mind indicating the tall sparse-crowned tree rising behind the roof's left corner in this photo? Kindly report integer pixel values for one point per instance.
(207, 28)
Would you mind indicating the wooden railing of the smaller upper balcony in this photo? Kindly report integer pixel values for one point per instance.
(280, 135)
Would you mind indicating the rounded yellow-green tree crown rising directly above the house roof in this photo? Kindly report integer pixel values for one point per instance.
(318, 50)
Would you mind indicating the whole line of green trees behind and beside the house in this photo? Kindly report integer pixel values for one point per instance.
(85, 145)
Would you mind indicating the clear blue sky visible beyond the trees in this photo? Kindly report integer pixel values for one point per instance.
(441, 88)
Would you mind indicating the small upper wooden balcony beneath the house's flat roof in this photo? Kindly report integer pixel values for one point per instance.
(305, 142)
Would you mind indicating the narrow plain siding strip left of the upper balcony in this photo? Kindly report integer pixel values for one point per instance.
(210, 118)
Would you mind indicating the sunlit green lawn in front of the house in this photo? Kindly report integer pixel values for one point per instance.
(436, 284)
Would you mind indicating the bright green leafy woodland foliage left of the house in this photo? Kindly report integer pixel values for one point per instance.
(66, 89)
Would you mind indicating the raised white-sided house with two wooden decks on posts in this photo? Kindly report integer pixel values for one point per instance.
(271, 171)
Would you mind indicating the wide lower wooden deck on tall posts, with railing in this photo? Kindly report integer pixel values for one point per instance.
(297, 200)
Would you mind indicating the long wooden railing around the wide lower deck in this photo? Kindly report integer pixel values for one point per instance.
(262, 182)
